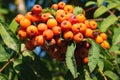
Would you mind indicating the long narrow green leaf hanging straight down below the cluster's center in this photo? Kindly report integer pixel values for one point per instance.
(70, 60)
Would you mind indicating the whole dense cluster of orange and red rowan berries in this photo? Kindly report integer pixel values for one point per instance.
(54, 32)
